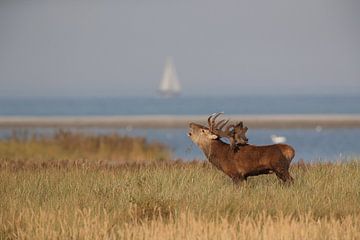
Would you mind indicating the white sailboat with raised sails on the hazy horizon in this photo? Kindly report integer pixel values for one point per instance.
(169, 85)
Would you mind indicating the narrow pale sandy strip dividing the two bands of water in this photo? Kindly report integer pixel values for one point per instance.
(173, 121)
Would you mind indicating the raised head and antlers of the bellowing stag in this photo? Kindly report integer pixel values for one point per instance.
(201, 135)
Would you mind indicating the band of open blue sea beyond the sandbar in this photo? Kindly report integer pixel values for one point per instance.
(181, 105)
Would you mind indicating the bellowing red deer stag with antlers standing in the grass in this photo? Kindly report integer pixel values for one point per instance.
(240, 160)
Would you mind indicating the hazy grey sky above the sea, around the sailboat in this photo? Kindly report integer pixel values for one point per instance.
(118, 48)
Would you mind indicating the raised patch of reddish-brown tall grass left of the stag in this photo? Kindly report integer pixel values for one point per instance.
(65, 146)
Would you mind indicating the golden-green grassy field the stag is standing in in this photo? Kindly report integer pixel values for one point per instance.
(159, 199)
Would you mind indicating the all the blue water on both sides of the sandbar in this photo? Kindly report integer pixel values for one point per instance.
(310, 144)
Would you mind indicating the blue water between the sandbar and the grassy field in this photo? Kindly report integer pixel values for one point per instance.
(310, 145)
